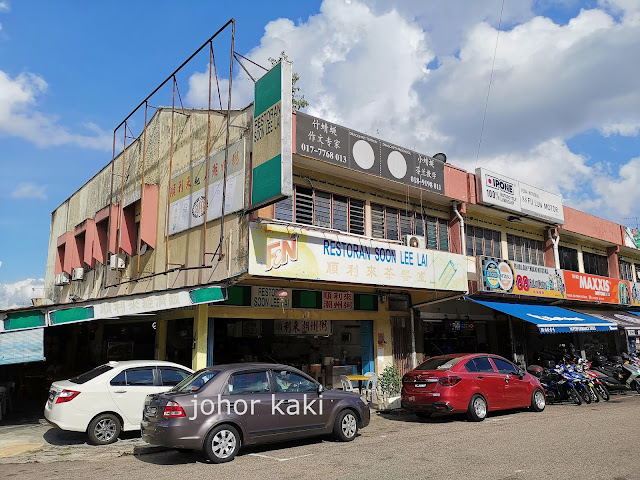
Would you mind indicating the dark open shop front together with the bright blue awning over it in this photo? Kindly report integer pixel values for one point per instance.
(545, 331)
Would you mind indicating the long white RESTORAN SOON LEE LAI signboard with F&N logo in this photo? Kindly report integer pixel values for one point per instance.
(285, 252)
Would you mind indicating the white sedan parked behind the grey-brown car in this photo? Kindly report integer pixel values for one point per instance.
(110, 398)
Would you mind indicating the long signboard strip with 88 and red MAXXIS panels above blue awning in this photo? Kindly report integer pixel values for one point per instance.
(505, 276)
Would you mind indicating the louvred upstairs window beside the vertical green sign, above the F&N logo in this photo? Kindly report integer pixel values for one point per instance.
(322, 209)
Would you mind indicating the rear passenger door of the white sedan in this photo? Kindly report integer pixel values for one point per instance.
(129, 389)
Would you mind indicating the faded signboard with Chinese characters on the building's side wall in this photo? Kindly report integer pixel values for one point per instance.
(187, 193)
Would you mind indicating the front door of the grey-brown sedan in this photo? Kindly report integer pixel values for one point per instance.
(298, 403)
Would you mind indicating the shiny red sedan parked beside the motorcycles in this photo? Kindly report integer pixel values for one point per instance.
(473, 383)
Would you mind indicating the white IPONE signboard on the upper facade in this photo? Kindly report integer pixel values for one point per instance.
(508, 194)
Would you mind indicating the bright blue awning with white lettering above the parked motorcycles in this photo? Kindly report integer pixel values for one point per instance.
(550, 319)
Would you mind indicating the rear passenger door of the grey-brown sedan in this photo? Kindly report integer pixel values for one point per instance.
(249, 395)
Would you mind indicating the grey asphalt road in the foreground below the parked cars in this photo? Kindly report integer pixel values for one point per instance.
(597, 441)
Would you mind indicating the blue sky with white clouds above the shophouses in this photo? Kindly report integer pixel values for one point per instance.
(564, 109)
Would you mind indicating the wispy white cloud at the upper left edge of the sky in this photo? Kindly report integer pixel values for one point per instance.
(20, 118)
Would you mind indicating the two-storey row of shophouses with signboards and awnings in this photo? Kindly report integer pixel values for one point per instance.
(377, 255)
